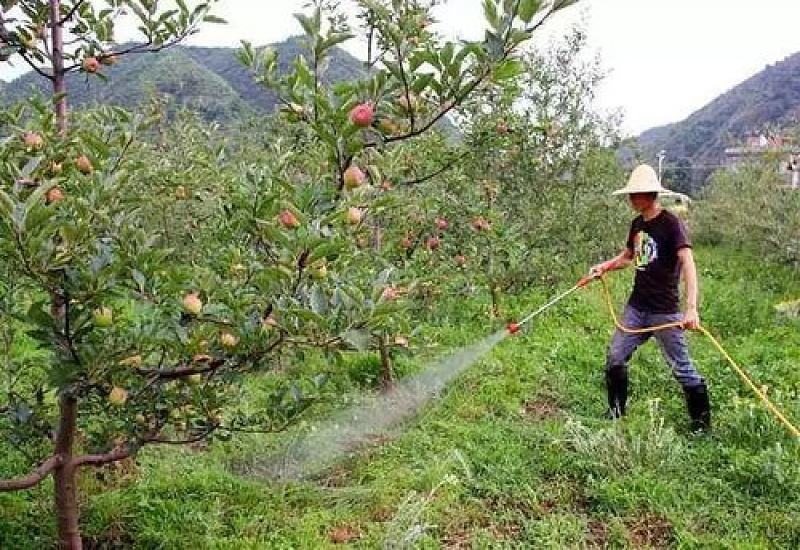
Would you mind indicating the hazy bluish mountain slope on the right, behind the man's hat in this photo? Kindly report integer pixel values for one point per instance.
(764, 103)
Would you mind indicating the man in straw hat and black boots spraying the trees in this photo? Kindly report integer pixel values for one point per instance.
(659, 248)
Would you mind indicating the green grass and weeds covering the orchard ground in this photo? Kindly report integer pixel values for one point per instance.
(513, 453)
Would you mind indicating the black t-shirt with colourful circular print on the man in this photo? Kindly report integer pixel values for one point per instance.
(655, 246)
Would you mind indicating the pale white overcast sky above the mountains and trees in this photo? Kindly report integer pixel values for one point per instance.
(664, 59)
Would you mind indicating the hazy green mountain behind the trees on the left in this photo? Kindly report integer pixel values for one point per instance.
(210, 81)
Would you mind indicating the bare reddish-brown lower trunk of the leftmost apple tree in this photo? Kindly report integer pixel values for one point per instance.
(64, 477)
